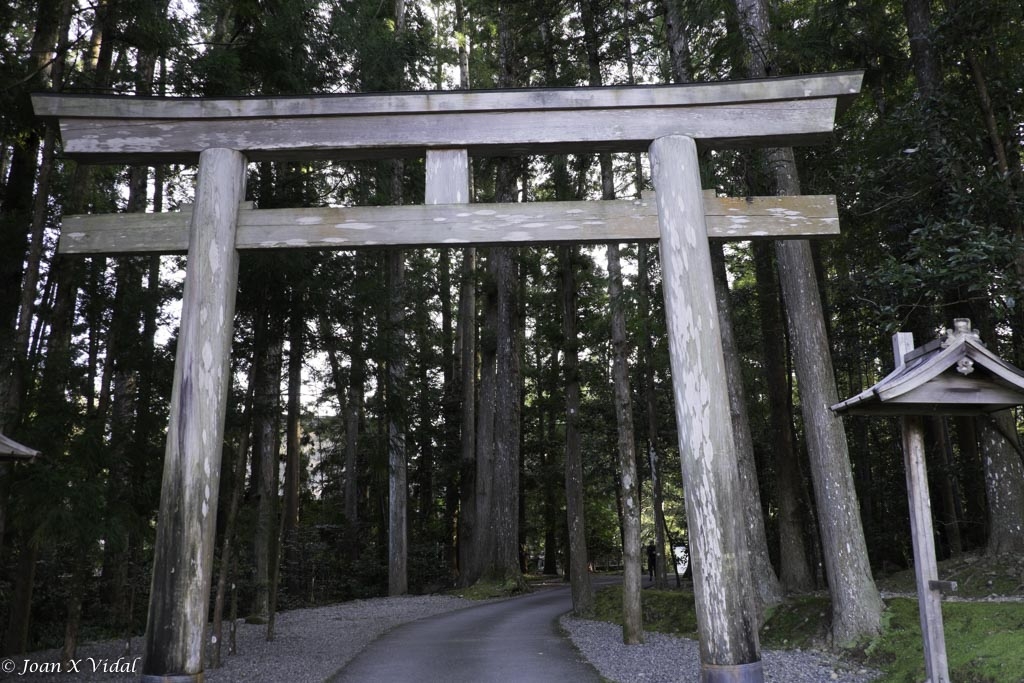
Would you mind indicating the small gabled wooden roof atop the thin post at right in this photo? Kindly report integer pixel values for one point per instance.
(953, 376)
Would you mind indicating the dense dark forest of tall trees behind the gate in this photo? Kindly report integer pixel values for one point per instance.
(351, 367)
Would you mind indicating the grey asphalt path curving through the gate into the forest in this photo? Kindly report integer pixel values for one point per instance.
(507, 642)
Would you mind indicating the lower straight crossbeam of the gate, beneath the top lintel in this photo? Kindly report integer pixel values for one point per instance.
(449, 225)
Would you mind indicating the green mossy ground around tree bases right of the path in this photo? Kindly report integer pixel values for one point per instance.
(985, 638)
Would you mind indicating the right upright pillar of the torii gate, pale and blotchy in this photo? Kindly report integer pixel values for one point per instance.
(727, 619)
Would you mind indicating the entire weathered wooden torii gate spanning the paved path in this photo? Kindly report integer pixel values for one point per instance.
(448, 129)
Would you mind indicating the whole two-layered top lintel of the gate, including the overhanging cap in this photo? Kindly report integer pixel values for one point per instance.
(788, 111)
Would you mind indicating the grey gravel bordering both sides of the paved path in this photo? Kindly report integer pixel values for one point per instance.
(312, 646)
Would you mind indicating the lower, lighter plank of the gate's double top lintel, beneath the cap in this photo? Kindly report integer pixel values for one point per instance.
(506, 134)
